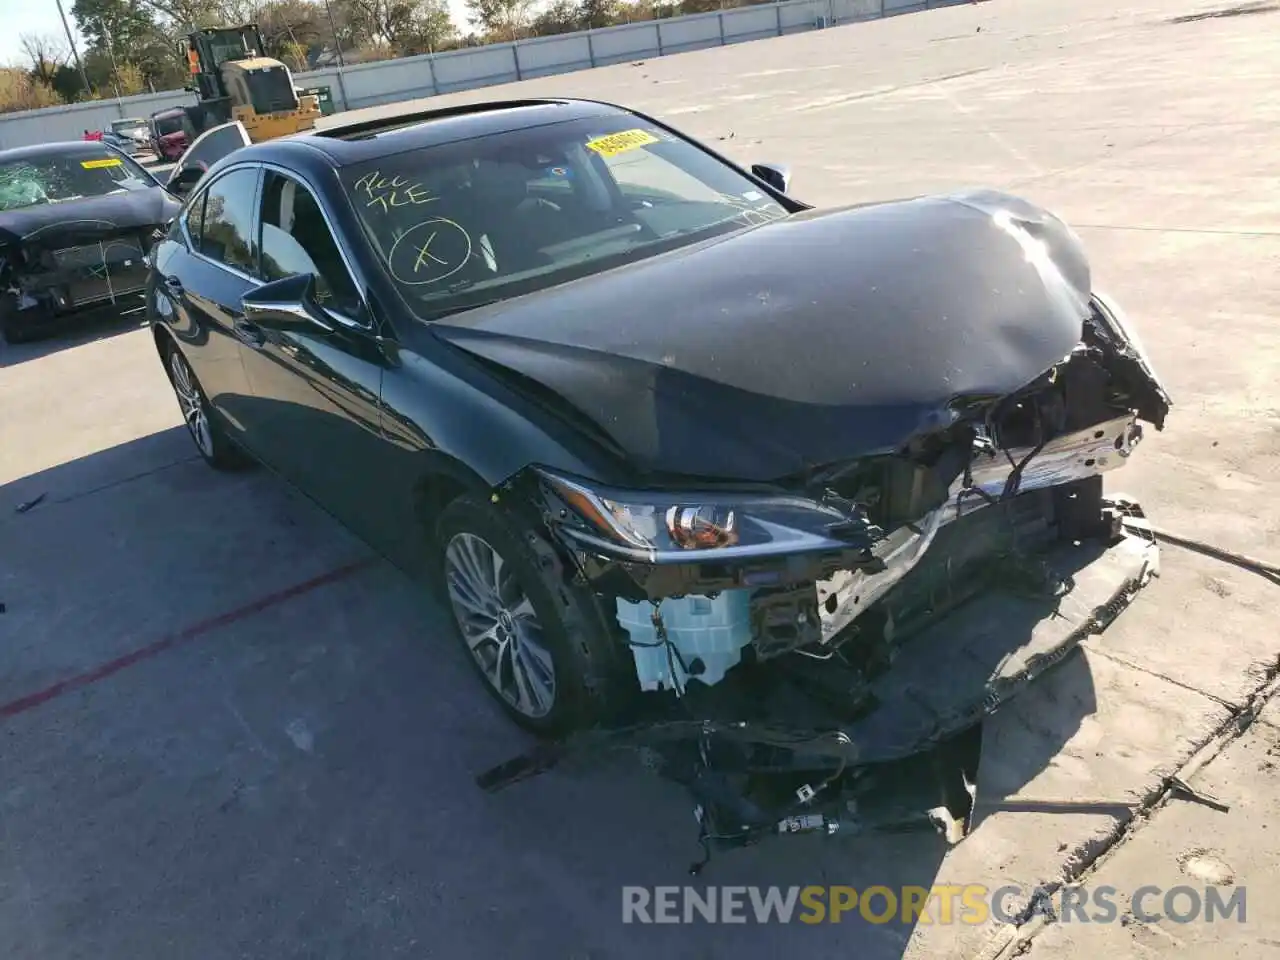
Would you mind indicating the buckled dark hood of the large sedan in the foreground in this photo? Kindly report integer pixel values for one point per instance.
(808, 341)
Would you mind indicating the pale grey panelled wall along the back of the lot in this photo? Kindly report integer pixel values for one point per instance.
(388, 81)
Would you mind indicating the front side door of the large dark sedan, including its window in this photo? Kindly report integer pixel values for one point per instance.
(318, 390)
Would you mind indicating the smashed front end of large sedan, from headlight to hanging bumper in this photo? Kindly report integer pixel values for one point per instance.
(828, 669)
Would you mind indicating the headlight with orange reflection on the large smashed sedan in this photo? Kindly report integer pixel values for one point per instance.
(666, 527)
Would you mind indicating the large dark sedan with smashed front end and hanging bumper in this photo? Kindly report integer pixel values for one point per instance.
(780, 495)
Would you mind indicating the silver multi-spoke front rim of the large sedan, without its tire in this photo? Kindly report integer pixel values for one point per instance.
(500, 625)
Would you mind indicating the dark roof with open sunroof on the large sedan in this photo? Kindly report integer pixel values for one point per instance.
(386, 136)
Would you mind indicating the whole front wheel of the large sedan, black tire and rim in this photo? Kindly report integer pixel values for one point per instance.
(533, 627)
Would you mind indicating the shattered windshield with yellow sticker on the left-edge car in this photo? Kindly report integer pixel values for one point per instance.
(56, 180)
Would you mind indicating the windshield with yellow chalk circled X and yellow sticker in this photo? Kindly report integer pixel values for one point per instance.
(502, 216)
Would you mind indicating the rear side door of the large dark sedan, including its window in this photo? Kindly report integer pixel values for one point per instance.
(204, 281)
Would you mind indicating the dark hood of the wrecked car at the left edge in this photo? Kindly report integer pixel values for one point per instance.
(76, 221)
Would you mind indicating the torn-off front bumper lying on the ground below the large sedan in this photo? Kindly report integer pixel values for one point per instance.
(840, 747)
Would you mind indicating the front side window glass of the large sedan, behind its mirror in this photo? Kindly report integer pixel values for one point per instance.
(296, 239)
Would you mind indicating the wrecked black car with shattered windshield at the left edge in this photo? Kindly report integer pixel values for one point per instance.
(77, 222)
